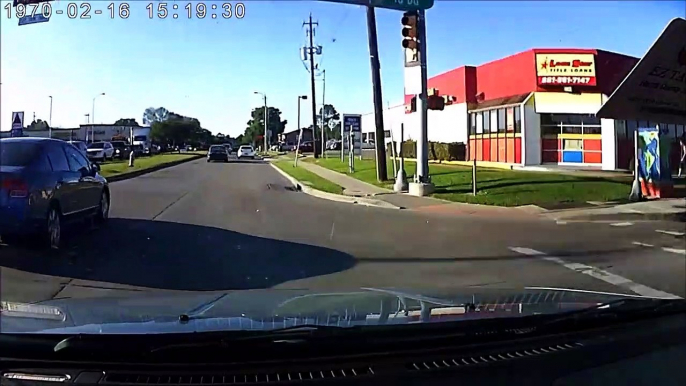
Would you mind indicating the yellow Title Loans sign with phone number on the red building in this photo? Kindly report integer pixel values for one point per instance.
(565, 69)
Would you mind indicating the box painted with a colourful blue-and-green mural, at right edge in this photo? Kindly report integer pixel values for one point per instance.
(654, 170)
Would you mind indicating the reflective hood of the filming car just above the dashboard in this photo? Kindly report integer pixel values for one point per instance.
(270, 309)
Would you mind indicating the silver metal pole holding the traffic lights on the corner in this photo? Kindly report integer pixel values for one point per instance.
(423, 142)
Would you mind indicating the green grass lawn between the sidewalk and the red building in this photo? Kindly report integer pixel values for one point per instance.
(498, 186)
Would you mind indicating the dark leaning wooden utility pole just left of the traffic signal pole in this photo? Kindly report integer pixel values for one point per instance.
(381, 172)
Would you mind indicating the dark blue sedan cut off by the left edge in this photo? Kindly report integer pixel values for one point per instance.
(45, 184)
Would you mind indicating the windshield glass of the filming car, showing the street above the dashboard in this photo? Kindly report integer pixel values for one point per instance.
(533, 149)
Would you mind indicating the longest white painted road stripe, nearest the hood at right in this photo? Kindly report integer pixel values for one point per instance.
(599, 274)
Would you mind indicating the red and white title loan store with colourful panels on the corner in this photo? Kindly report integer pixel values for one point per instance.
(534, 107)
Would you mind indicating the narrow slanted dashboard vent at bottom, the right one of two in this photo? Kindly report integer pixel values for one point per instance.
(443, 363)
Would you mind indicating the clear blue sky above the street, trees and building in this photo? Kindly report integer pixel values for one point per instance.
(210, 68)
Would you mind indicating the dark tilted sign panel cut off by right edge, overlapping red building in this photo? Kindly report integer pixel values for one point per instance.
(655, 90)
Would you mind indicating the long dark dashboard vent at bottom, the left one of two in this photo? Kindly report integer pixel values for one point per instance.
(120, 378)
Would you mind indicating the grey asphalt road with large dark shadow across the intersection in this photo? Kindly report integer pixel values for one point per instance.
(237, 225)
